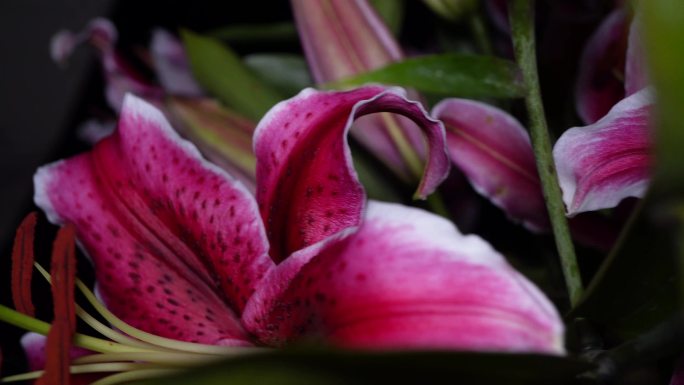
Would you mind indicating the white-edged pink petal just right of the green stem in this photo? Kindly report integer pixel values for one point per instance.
(600, 164)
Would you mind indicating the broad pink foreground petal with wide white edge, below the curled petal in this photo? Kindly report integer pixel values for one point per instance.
(406, 279)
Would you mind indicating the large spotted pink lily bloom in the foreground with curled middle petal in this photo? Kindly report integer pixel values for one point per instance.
(183, 251)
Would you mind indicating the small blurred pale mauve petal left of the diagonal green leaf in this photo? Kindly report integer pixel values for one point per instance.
(172, 65)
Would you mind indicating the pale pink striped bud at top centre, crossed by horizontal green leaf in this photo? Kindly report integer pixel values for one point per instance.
(343, 38)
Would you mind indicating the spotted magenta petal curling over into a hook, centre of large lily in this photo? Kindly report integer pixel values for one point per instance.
(307, 186)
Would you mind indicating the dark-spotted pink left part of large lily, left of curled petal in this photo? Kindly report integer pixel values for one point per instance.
(177, 244)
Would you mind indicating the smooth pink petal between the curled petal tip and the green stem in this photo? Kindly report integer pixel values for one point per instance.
(493, 150)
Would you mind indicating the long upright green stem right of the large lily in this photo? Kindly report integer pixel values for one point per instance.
(522, 29)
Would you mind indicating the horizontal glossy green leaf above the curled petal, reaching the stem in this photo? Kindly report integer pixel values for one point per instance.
(449, 75)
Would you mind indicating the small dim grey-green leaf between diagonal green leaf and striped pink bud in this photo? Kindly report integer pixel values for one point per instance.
(286, 73)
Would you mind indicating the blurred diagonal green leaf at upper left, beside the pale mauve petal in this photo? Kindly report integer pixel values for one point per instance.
(221, 72)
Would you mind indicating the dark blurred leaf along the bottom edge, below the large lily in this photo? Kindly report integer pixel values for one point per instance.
(362, 367)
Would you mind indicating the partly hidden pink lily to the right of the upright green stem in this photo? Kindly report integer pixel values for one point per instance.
(608, 160)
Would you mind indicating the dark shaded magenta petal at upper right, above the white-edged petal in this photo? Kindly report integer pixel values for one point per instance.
(601, 71)
